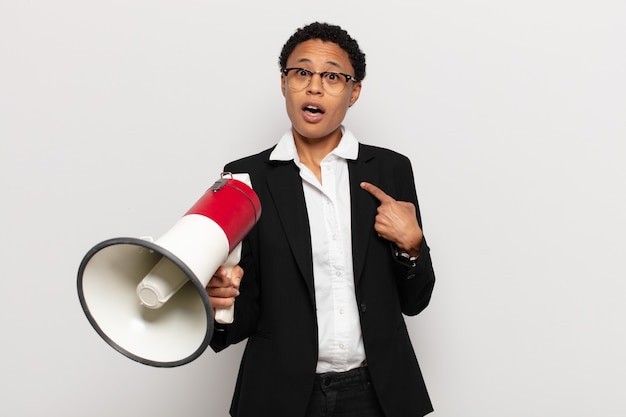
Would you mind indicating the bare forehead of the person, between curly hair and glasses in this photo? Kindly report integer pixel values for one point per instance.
(320, 55)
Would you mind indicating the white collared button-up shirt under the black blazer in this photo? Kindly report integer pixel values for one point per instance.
(328, 205)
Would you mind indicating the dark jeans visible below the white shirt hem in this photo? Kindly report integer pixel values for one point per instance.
(344, 394)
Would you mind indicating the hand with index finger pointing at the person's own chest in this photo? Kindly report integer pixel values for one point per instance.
(396, 221)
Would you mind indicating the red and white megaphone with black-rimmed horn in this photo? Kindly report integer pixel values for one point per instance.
(147, 299)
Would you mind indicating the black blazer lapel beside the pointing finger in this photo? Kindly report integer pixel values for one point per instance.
(363, 208)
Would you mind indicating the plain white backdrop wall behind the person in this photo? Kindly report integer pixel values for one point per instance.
(115, 116)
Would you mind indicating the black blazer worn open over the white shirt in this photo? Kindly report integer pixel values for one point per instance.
(275, 310)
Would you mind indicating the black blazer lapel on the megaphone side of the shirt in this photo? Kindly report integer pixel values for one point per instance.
(285, 186)
